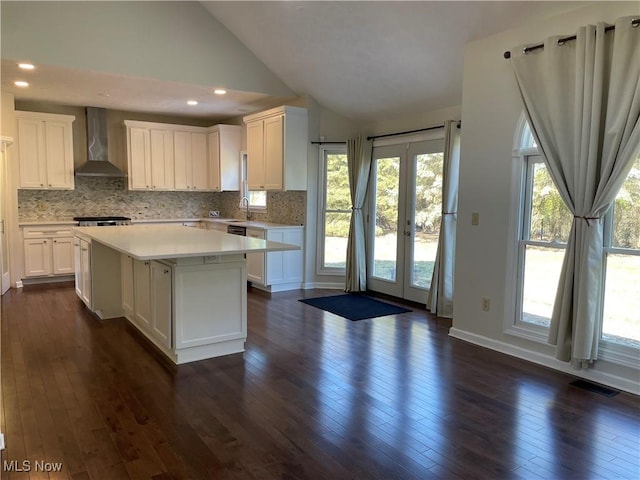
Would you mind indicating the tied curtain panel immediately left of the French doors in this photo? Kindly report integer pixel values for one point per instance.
(359, 165)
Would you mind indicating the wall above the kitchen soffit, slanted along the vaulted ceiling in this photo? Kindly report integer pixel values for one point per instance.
(172, 41)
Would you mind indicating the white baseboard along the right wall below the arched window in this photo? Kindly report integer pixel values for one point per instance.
(608, 379)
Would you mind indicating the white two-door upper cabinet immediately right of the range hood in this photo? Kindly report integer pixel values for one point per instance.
(150, 156)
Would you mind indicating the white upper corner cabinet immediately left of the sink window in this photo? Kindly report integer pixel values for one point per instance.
(224, 157)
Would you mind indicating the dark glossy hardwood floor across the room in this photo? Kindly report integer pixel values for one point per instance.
(314, 396)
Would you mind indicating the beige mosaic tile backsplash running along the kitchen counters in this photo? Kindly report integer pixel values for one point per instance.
(98, 196)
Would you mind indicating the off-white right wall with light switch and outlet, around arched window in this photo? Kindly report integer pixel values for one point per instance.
(491, 107)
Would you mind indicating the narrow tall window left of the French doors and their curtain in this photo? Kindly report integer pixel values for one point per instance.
(335, 210)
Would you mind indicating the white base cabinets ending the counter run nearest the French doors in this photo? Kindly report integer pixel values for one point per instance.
(277, 271)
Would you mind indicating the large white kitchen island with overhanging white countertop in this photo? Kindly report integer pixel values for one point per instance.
(184, 289)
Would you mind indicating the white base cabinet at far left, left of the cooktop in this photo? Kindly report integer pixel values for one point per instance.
(48, 251)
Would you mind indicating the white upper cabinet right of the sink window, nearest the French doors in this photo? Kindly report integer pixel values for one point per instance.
(277, 149)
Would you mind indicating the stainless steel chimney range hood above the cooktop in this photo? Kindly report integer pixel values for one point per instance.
(97, 164)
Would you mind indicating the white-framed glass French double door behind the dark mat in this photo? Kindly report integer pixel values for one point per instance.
(404, 218)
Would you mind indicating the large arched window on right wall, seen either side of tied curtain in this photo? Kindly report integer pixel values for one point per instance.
(544, 227)
